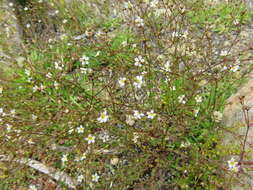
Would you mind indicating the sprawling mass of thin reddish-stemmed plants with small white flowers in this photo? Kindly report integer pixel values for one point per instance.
(128, 96)
